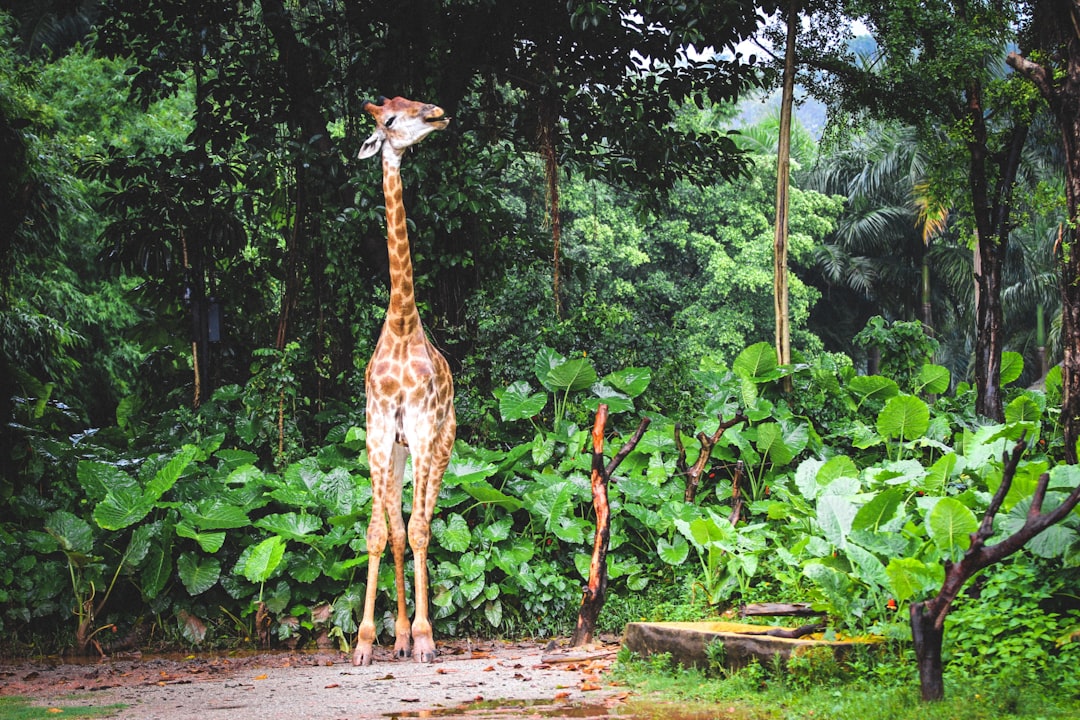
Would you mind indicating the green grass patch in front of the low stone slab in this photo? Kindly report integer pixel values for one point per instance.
(886, 692)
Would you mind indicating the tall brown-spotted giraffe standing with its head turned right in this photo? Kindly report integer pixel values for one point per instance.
(410, 399)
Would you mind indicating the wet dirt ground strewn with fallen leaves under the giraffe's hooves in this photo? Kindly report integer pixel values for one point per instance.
(468, 680)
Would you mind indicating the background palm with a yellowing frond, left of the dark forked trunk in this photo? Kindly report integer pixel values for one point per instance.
(881, 260)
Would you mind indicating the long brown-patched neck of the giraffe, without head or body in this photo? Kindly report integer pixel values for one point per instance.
(402, 316)
